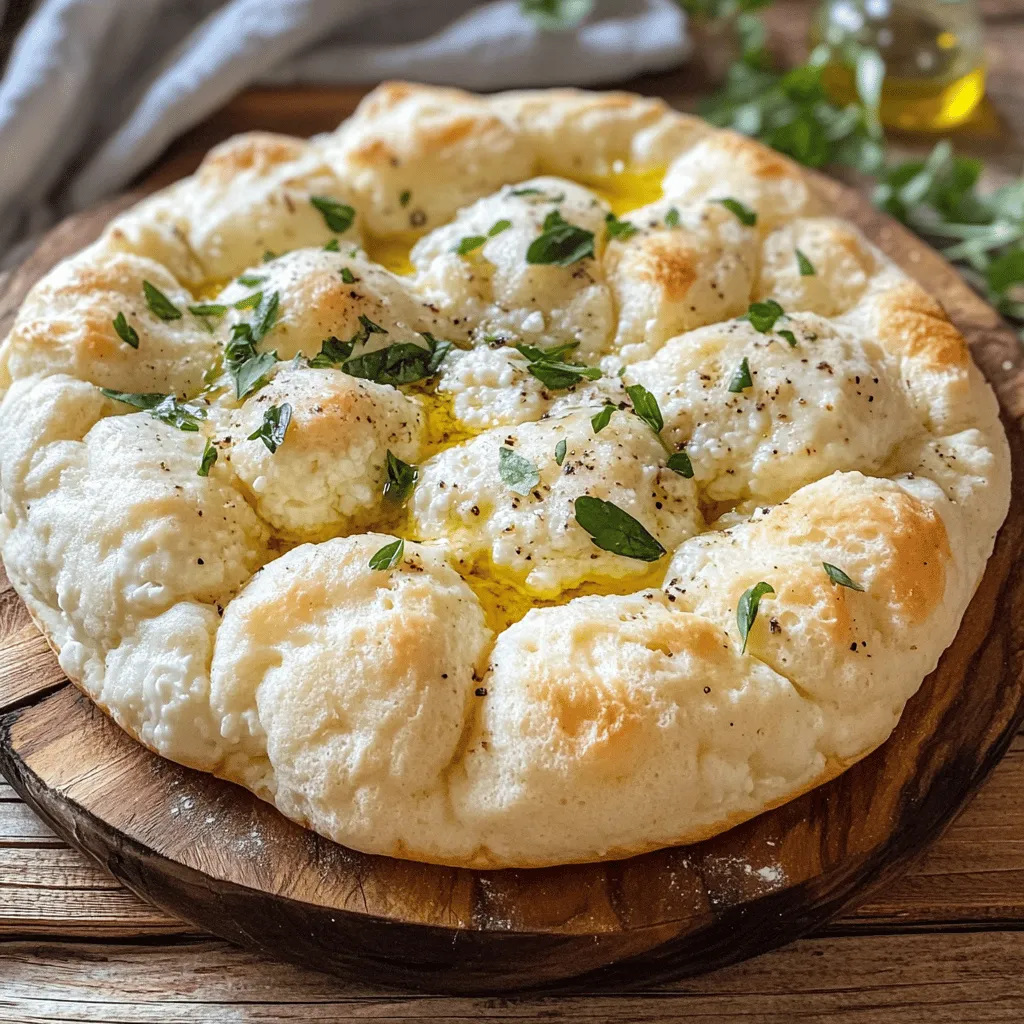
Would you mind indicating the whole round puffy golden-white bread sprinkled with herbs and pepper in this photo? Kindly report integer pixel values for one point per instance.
(630, 373)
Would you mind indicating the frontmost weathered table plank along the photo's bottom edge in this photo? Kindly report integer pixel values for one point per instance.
(945, 979)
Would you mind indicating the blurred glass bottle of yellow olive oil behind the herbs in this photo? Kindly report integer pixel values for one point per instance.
(935, 73)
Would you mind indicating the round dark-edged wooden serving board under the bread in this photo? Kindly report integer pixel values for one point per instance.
(214, 855)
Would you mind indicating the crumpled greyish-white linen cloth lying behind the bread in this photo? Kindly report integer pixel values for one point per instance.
(96, 90)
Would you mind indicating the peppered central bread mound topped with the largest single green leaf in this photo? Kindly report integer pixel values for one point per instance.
(462, 502)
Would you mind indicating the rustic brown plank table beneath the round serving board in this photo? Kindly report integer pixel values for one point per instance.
(946, 944)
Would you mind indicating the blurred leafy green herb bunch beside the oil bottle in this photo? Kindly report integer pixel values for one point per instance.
(937, 197)
